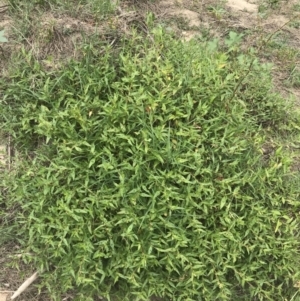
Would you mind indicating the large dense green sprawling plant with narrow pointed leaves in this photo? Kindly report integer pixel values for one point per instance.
(143, 174)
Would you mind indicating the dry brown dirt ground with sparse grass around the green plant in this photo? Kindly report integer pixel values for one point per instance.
(259, 20)
